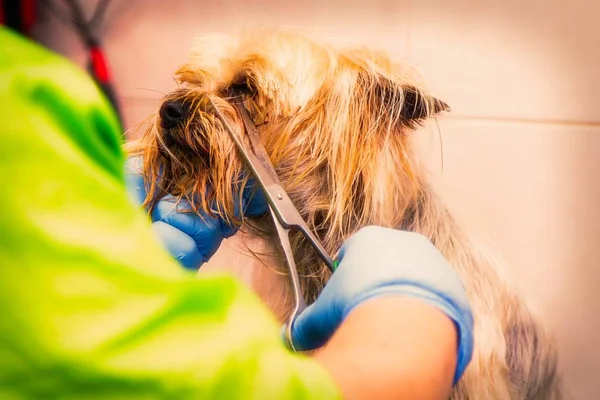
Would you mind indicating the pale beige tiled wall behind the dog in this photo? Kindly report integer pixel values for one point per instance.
(521, 150)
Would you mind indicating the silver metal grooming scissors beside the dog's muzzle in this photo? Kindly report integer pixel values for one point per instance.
(284, 213)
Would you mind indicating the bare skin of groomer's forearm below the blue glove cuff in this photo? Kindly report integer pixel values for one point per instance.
(393, 347)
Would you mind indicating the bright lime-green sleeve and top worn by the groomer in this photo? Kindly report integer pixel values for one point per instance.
(91, 306)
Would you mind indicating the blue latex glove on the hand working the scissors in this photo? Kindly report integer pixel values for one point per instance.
(377, 262)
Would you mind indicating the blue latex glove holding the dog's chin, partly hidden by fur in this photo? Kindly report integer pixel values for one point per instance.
(188, 238)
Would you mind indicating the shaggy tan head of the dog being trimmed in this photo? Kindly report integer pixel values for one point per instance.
(333, 121)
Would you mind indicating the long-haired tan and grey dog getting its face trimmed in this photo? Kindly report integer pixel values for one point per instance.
(338, 124)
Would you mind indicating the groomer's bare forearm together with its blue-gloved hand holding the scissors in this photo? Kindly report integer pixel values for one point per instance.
(393, 320)
